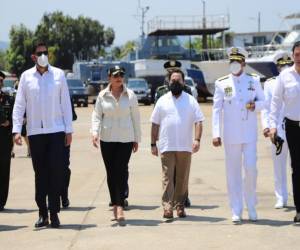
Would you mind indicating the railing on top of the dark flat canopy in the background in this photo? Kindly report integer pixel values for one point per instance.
(188, 22)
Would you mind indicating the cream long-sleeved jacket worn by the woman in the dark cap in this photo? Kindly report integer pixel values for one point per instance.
(116, 121)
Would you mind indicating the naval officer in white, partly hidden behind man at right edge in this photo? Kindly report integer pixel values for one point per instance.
(282, 60)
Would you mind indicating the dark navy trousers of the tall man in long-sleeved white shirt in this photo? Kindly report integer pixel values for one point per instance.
(47, 154)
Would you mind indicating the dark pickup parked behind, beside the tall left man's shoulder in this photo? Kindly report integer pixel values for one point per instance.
(78, 92)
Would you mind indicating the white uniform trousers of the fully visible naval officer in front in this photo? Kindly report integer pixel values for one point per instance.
(239, 185)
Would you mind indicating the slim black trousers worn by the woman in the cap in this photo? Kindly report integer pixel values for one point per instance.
(116, 156)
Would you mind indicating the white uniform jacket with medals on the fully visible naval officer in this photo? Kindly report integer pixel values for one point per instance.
(232, 93)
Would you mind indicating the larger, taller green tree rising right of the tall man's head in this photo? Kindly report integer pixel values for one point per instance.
(81, 38)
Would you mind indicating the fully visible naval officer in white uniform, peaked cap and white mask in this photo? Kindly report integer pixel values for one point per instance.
(238, 96)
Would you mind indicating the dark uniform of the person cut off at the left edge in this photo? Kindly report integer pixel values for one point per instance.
(6, 143)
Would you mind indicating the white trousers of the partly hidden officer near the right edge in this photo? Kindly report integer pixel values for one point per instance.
(279, 164)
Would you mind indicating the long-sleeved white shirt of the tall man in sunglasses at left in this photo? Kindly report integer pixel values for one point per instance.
(46, 100)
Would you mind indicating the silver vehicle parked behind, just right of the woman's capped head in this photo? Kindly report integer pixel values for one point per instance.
(140, 87)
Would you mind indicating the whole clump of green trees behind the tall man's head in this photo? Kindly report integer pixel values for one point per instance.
(68, 39)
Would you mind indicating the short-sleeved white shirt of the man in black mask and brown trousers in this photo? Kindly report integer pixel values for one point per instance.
(176, 117)
